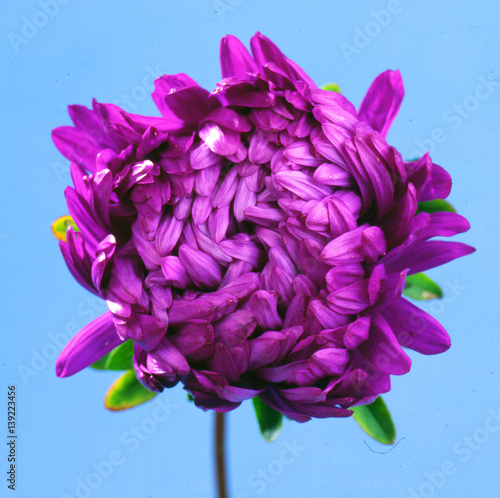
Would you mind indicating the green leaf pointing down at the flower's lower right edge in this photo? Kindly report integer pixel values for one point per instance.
(376, 421)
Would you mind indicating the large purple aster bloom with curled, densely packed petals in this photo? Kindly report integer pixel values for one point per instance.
(255, 240)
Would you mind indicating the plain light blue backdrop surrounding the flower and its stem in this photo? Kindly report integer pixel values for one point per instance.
(109, 50)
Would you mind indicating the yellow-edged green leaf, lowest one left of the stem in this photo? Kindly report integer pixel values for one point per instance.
(126, 393)
